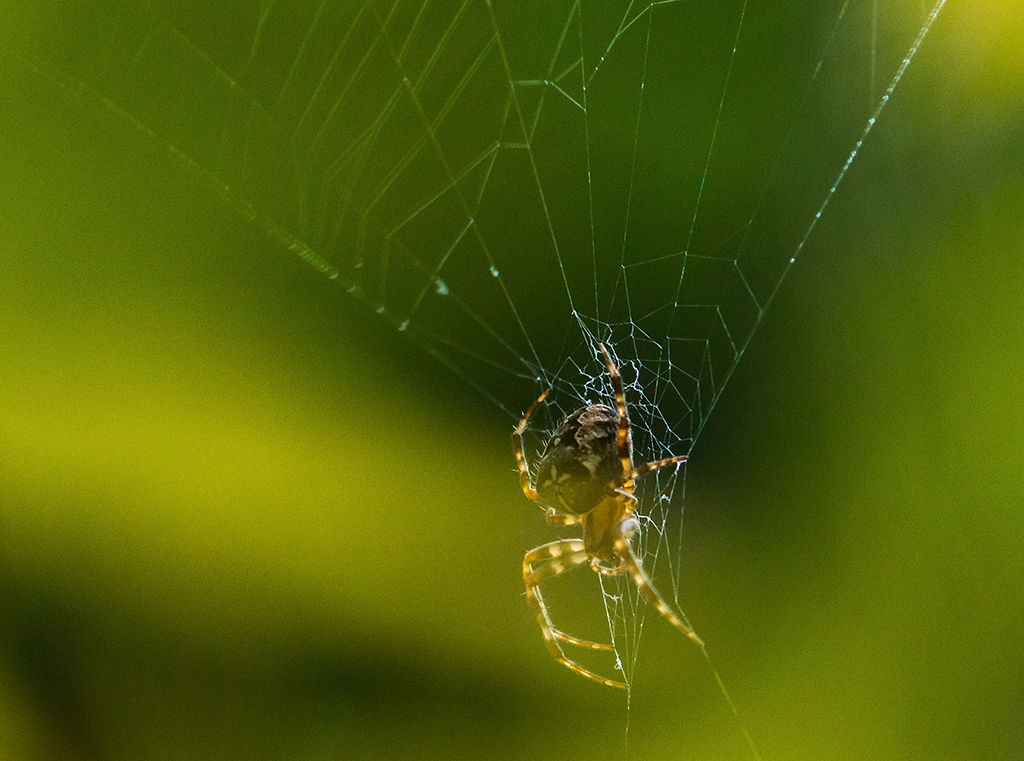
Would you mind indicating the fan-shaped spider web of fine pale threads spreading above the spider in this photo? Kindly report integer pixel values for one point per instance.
(509, 185)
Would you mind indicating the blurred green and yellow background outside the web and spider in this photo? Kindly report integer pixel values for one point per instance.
(241, 517)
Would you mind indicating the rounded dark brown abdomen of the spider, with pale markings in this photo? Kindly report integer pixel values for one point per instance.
(581, 460)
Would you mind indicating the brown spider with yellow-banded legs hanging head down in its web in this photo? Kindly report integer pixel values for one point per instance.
(586, 477)
